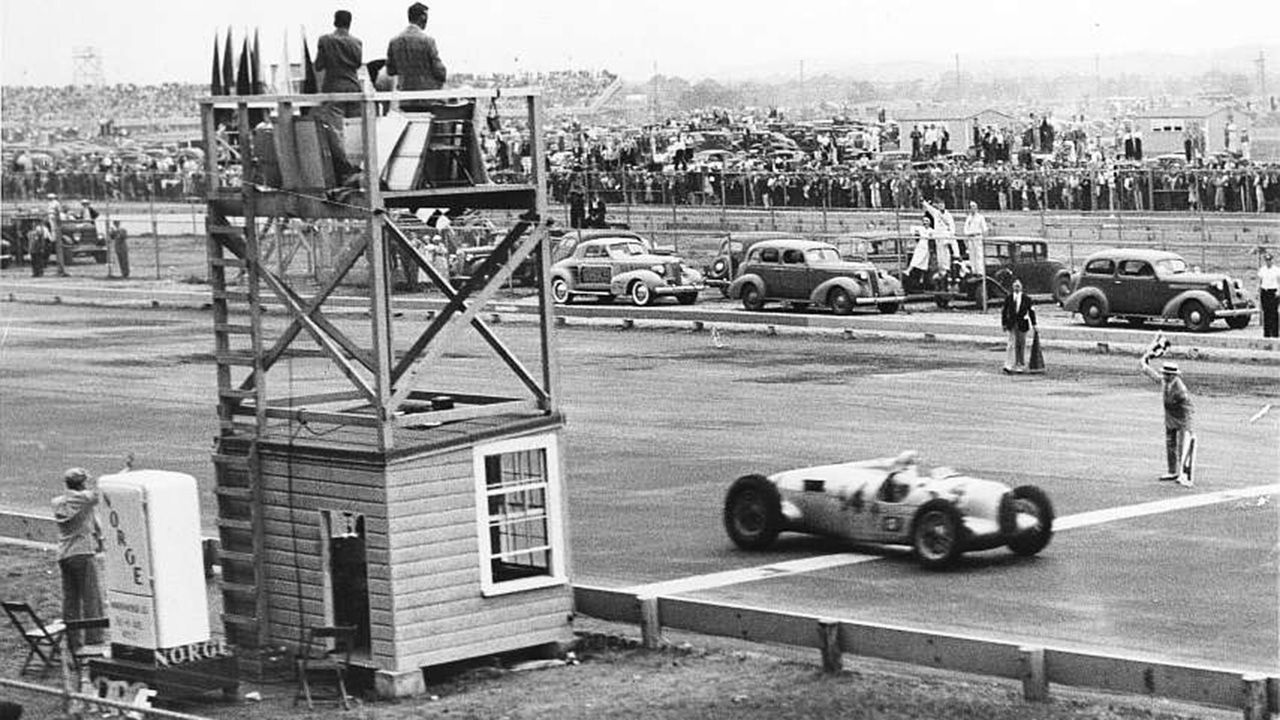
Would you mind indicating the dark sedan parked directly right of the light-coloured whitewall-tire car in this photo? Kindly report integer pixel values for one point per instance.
(810, 274)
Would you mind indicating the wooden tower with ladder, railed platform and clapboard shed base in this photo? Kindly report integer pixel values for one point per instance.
(432, 521)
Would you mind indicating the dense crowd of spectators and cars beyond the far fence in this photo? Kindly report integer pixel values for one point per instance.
(714, 157)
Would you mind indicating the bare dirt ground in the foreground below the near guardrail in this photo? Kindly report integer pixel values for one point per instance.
(610, 676)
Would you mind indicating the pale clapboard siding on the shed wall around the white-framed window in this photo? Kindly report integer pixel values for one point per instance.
(441, 614)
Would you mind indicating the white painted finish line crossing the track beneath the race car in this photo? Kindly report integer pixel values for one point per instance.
(842, 559)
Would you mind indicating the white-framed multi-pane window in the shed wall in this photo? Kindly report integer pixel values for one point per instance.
(518, 486)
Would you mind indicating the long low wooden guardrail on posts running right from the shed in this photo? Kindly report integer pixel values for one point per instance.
(1037, 668)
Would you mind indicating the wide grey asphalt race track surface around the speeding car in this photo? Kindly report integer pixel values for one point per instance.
(661, 422)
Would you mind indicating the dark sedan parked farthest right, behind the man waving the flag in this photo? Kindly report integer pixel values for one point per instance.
(1155, 285)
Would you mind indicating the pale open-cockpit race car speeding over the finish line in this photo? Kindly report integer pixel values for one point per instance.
(940, 514)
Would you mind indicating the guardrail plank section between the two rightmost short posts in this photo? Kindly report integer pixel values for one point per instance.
(1206, 686)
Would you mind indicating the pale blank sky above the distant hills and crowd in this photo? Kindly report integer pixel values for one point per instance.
(152, 42)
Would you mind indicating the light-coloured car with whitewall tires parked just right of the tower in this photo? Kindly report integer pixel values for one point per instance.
(620, 267)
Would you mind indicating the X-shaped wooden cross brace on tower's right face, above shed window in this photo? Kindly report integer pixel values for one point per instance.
(441, 329)
